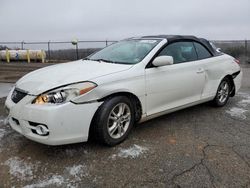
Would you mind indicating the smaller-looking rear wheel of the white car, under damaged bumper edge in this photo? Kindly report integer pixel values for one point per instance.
(223, 93)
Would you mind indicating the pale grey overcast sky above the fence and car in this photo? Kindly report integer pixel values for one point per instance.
(44, 20)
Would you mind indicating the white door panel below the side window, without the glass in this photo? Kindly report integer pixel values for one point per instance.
(187, 87)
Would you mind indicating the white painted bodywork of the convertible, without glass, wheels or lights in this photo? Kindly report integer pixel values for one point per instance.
(160, 90)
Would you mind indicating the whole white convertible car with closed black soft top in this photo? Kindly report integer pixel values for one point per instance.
(127, 82)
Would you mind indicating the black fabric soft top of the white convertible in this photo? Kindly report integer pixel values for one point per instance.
(175, 38)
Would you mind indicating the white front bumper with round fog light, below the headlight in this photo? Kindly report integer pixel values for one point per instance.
(67, 123)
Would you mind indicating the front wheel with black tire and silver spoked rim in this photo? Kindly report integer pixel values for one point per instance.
(114, 120)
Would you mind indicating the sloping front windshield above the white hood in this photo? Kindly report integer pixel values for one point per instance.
(125, 52)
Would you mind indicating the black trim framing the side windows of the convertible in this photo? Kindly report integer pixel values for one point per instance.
(150, 65)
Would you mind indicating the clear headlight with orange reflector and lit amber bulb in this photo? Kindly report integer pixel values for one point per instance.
(65, 94)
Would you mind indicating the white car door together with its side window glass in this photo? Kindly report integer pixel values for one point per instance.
(174, 85)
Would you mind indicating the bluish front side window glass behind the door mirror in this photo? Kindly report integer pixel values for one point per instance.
(180, 51)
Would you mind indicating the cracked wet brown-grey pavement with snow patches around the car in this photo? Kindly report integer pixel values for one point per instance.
(201, 146)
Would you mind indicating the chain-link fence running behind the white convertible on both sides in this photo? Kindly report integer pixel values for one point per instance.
(66, 50)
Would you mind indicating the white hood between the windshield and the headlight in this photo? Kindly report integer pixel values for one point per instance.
(54, 76)
